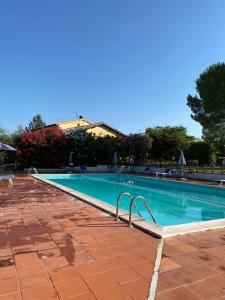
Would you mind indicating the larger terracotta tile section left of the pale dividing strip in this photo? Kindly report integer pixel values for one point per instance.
(53, 246)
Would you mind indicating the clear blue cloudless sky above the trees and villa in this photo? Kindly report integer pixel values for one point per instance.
(126, 62)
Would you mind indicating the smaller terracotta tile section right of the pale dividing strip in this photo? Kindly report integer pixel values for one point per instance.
(193, 267)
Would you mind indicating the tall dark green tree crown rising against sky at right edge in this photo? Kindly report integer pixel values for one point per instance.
(208, 105)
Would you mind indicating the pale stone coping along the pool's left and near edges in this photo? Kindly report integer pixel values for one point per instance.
(154, 229)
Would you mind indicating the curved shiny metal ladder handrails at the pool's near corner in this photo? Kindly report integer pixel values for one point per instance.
(132, 203)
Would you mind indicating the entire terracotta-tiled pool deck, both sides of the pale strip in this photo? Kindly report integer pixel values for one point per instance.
(53, 246)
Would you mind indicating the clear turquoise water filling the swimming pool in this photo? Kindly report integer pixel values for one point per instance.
(171, 202)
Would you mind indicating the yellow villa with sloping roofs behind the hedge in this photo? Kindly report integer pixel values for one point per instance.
(97, 129)
